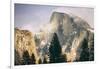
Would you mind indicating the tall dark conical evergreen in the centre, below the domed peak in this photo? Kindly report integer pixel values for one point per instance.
(55, 50)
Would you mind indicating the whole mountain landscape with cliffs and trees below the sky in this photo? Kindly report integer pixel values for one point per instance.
(70, 39)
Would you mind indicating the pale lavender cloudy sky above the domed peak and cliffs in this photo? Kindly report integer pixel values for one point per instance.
(34, 17)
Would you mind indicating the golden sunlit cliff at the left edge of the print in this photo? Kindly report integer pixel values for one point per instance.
(24, 42)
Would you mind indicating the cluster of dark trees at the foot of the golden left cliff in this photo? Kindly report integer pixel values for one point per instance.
(25, 60)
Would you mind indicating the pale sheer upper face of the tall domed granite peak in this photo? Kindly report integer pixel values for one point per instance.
(61, 20)
